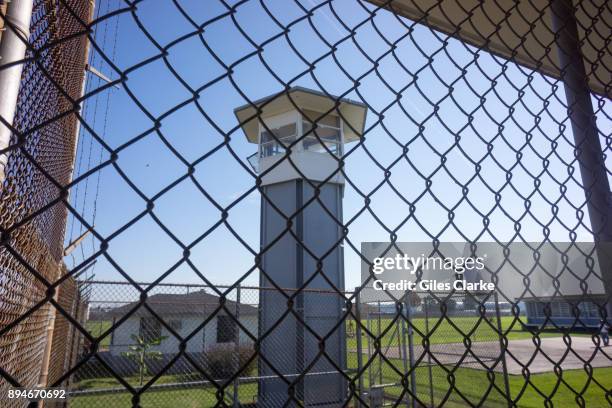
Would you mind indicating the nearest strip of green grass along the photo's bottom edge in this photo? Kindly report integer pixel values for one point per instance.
(473, 384)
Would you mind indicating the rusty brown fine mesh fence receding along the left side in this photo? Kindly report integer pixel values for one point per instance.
(39, 167)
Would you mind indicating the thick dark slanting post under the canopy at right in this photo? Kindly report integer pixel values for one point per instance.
(586, 138)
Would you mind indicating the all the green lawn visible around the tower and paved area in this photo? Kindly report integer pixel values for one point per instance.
(474, 385)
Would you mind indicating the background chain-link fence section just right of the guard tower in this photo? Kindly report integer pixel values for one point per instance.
(428, 344)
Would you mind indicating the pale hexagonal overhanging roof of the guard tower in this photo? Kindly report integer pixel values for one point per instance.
(352, 112)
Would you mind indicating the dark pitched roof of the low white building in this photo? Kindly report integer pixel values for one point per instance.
(196, 304)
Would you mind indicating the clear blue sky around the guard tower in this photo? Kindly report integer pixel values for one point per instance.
(145, 251)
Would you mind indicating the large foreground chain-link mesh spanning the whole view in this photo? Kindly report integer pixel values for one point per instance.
(454, 143)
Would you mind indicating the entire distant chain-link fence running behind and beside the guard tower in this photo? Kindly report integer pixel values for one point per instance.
(219, 340)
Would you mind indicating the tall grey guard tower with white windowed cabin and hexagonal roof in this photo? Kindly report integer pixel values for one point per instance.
(315, 128)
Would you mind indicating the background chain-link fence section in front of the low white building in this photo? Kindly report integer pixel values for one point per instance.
(143, 341)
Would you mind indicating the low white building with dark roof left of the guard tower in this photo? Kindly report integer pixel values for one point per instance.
(184, 313)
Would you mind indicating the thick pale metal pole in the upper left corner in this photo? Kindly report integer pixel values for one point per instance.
(12, 50)
